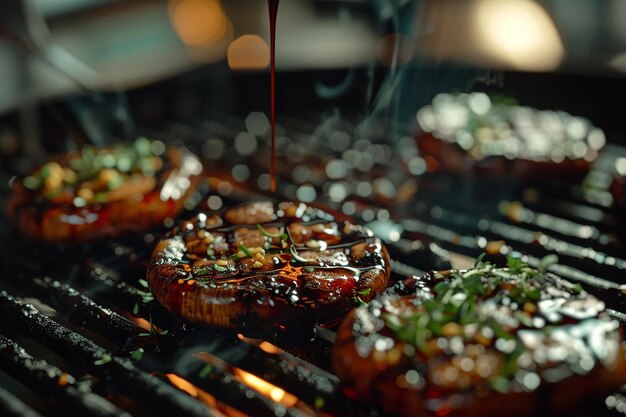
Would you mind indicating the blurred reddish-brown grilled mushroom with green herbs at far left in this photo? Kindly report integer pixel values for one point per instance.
(103, 192)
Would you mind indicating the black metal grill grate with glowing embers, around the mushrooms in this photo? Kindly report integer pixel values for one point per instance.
(95, 343)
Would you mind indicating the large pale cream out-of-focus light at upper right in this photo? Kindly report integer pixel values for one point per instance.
(516, 34)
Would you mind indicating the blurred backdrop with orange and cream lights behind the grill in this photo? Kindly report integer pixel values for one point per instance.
(371, 56)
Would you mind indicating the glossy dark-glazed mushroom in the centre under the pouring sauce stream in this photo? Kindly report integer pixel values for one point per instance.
(280, 263)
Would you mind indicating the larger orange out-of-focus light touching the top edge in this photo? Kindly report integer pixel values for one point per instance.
(199, 23)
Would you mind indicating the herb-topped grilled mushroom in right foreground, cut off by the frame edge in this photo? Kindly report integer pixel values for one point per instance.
(487, 341)
